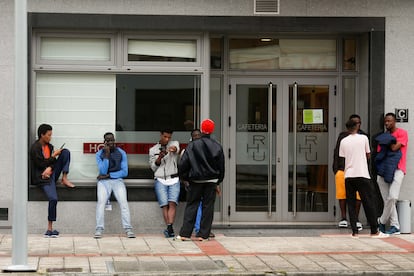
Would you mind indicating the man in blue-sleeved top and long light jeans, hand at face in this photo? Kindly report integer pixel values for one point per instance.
(113, 167)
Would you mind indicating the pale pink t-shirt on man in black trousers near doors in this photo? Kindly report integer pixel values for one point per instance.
(354, 148)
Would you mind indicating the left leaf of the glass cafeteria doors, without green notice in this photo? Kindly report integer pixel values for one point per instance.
(254, 140)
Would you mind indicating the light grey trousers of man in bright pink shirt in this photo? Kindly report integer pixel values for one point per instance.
(390, 193)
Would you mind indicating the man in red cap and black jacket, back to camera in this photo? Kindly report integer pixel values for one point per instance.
(202, 165)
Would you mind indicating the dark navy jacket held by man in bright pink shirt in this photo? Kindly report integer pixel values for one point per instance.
(386, 161)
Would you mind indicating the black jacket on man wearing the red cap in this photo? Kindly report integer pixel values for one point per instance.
(202, 160)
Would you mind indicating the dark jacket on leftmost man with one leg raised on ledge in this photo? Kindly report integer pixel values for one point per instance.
(38, 163)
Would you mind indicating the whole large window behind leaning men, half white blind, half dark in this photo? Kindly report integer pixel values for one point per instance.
(82, 107)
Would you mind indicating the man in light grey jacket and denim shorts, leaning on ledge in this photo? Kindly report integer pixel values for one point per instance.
(163, 159)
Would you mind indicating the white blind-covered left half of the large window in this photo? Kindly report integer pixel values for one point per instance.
(80, 108)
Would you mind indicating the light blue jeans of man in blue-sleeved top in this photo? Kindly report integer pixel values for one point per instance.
(104, 189)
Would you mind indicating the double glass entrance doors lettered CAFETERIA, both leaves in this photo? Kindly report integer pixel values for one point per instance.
(279, 148)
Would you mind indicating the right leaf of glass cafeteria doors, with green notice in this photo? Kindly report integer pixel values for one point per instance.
(310, 129)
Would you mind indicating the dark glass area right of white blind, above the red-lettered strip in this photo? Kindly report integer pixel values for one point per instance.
(153, 102)
